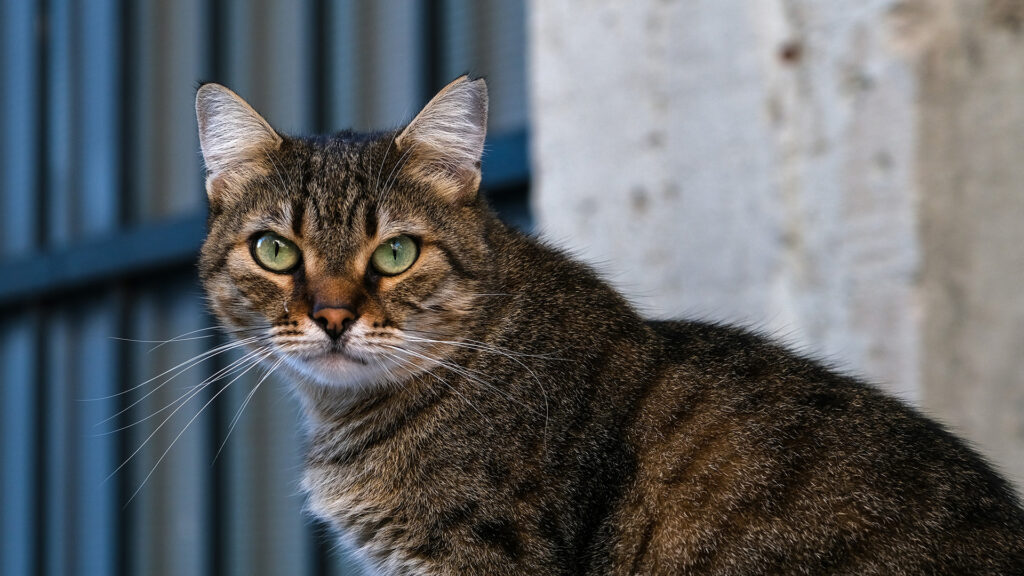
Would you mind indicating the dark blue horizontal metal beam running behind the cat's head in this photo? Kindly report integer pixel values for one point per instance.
(176, 243)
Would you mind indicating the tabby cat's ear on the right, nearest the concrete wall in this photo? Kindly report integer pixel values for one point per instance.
(445, 142)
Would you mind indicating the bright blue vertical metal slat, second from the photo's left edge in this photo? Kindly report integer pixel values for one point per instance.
(94, 528)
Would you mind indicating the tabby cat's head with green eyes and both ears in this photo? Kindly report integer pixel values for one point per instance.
(352, 259)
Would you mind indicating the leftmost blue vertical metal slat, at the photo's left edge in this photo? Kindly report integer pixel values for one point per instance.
(20, 474)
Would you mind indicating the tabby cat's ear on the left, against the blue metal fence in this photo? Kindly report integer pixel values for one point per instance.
(235, 139)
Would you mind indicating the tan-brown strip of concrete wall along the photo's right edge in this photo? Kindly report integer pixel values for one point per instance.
(971, 164)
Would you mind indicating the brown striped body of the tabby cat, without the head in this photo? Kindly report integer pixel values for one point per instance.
(644, 448)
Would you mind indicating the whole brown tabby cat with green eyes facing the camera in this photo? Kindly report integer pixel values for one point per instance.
(480, 403)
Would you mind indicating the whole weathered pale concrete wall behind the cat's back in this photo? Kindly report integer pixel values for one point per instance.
(842, 175)
